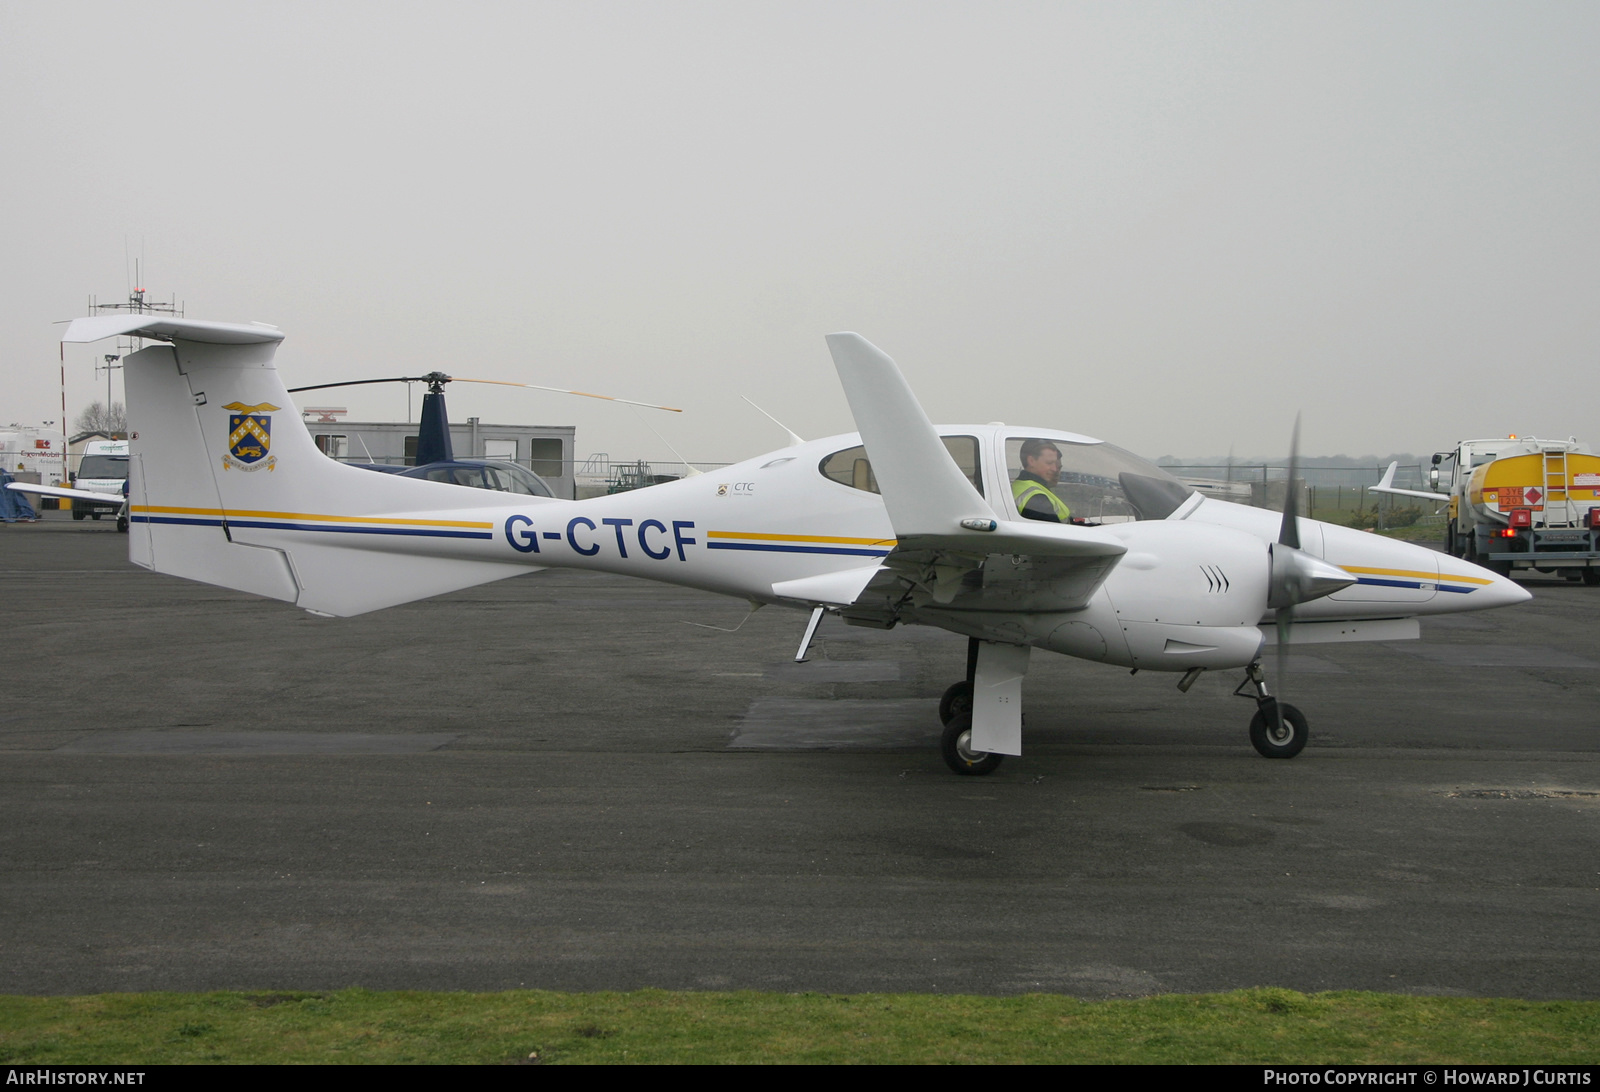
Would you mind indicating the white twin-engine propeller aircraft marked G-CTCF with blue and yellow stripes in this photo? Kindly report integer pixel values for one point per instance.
(905, 523)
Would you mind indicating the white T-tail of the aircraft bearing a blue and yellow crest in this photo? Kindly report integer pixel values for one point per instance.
(228, 488)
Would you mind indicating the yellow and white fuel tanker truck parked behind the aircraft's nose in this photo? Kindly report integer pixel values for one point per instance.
(1519, 504)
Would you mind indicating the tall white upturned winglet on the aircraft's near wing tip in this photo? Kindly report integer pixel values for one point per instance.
(924, 489)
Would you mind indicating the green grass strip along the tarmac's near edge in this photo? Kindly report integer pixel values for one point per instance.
(665, 1027)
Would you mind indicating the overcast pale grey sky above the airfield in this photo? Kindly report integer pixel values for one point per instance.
(1166, 225)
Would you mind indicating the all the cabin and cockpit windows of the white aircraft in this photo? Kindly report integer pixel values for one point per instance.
(1098, 483)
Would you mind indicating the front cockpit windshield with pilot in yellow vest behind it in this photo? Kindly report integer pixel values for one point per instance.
(1062, 481)
